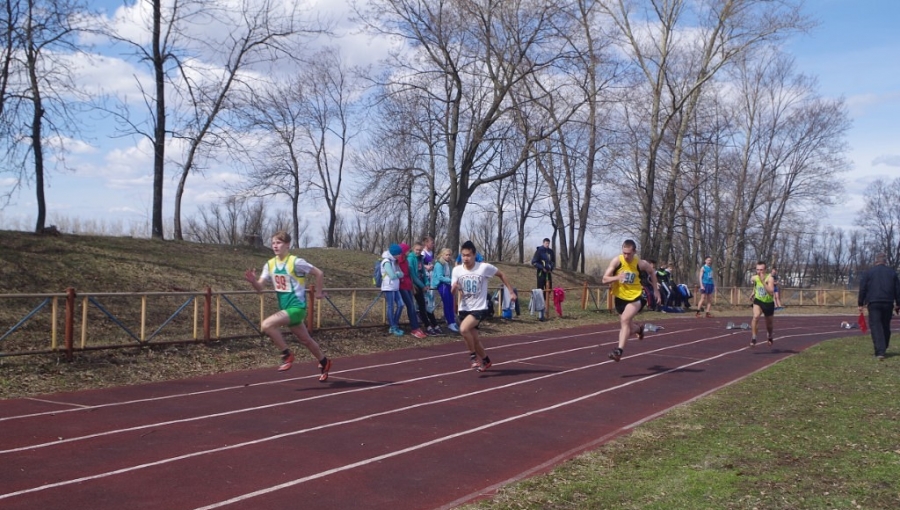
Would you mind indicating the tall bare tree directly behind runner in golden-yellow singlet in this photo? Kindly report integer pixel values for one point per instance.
(677, 63)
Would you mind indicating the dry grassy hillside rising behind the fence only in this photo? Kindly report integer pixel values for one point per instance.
(43, 264)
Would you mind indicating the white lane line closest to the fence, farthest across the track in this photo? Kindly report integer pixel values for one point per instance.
(282, 381)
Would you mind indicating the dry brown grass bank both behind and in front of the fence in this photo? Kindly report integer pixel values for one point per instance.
(32, 264)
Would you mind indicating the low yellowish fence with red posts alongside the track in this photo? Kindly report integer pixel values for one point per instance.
(75, 321)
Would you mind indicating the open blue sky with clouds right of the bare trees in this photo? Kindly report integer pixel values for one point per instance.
(854, 52)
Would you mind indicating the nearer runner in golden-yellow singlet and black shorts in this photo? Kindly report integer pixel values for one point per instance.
(623, 273)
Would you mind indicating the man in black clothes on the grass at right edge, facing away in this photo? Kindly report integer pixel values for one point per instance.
(879, 288)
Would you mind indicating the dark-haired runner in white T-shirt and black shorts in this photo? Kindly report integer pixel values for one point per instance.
(471, 279)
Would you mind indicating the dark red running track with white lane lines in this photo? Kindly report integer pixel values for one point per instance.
(411, 429)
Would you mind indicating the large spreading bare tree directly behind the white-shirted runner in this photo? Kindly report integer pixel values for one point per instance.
(465, 56)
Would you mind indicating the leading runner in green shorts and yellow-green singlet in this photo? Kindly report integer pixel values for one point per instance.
(288, 275)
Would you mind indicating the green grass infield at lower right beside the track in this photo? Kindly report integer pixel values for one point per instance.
(818, 430)
